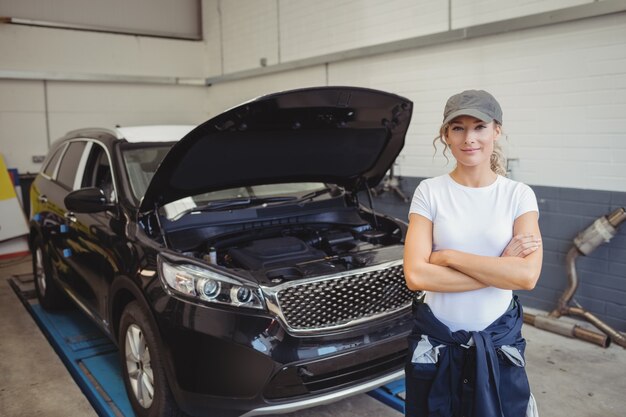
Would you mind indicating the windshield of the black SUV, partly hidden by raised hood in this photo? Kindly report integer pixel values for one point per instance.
(142, 162)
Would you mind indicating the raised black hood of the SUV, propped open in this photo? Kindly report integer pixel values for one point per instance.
(341, 135)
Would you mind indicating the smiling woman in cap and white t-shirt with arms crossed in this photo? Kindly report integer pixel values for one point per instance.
(473, 238)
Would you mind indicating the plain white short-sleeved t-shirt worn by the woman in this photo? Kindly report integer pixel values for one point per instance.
(472, 220)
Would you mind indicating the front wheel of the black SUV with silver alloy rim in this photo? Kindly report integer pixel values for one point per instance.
(142, 366)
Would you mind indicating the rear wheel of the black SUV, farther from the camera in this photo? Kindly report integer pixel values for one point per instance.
(50, 295)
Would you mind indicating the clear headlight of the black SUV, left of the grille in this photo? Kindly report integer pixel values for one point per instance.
(208, 286)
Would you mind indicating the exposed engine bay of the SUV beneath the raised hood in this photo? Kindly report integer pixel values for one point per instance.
(278, 254)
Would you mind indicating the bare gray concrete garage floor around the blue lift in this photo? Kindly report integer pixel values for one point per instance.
(569, 377)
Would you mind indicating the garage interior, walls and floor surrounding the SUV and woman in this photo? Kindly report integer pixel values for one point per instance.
(558, 69)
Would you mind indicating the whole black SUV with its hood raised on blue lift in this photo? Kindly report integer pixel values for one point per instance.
(235, 268)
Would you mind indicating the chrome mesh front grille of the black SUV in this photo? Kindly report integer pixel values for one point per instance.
(344, 300)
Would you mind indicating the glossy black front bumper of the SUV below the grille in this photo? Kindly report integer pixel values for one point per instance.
(236, 362)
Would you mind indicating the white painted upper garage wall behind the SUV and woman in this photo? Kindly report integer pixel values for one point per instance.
(562, 87)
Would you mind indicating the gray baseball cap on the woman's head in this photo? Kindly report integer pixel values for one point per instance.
(476, 103)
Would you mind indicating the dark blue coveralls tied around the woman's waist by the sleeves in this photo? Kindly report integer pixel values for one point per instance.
(466, 374)
